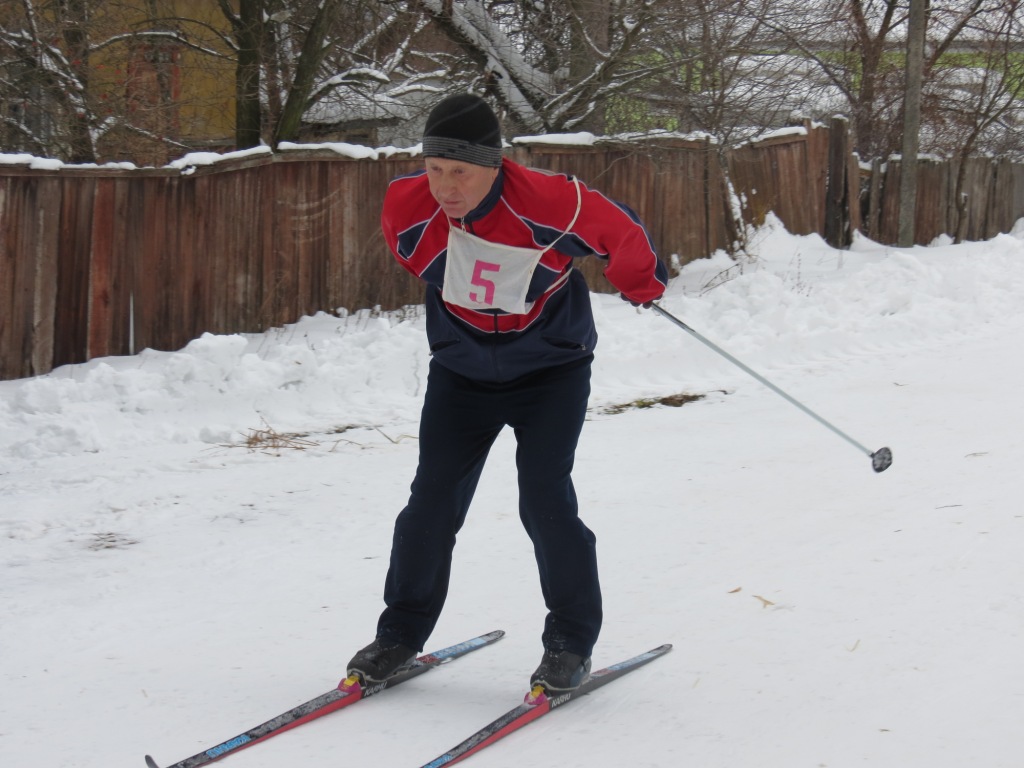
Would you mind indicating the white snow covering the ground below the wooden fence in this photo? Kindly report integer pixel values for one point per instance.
(166, 587)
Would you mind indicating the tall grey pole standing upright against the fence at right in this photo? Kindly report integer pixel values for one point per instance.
(912, 122)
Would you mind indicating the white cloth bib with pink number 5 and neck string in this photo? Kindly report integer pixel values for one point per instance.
(481, 275)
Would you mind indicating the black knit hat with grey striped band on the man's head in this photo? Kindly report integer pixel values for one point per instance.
(465, 129)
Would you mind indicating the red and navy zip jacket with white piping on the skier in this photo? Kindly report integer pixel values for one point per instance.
(530, 209)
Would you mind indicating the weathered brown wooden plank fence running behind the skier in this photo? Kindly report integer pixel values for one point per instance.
(101, 262)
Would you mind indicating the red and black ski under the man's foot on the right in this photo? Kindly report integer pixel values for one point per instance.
(539, 704)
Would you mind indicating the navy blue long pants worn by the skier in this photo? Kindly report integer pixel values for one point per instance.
(461, 420)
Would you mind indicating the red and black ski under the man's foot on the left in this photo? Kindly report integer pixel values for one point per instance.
(349, 692)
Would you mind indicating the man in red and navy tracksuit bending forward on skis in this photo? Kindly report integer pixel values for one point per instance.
(511, 335)
